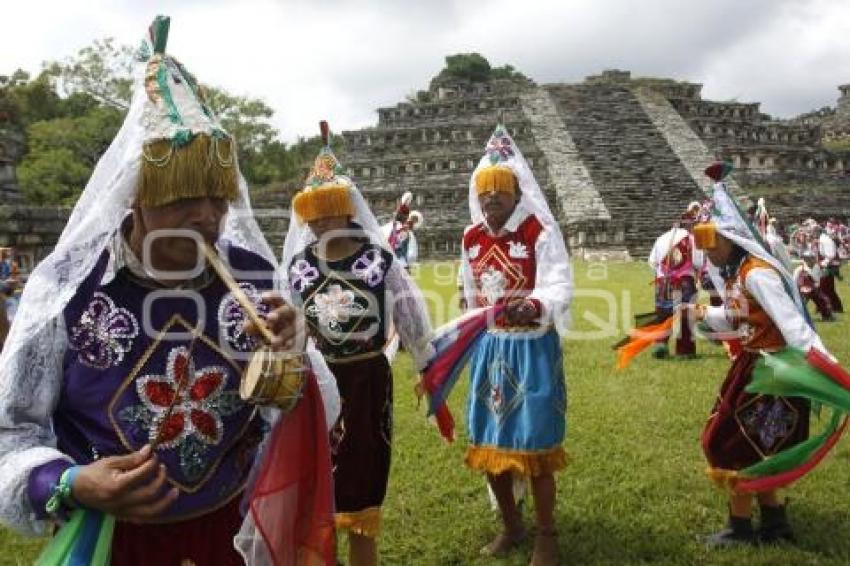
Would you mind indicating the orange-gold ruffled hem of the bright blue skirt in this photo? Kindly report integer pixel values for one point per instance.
(527, 463)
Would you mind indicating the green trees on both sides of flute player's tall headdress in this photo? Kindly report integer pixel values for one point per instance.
(73, 109)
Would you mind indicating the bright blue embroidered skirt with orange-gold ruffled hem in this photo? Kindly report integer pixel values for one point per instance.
(517, 404)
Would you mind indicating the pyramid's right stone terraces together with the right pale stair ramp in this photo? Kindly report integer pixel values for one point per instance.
(782, 160)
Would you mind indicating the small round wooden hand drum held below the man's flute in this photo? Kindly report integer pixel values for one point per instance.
(274, 378)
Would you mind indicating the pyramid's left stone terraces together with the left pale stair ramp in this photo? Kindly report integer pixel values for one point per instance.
(431, 146)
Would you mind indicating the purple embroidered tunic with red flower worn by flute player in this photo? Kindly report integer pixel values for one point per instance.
(153, 365)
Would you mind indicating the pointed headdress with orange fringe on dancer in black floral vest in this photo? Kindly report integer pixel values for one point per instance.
(327, 189)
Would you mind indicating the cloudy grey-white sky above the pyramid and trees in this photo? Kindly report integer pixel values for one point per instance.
(340, 60)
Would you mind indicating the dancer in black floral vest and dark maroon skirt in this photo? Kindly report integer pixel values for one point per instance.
(352, 289)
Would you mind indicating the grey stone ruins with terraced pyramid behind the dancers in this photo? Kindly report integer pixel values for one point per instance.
(617, 157)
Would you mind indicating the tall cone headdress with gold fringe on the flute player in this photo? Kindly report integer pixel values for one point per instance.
(186, 152)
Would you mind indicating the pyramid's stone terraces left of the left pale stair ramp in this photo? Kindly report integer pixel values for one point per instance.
(431, 149)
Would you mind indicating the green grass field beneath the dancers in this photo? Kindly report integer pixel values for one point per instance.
(635, 490)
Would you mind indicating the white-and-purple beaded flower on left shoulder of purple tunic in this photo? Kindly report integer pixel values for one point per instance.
(104, 333)
